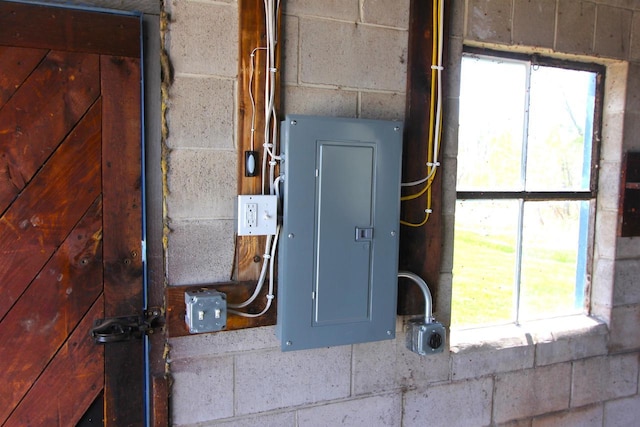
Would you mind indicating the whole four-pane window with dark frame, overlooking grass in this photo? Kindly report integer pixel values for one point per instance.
(525, 188)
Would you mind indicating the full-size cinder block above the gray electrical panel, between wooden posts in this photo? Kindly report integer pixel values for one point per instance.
(353, 56)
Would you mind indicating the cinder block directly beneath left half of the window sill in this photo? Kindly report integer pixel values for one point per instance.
(478, 363)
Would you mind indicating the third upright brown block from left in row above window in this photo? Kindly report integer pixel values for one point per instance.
(576, 24)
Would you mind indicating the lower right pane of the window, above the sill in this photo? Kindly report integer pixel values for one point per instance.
(550, 254)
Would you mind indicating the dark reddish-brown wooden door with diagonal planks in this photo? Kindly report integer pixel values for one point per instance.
(70, 213)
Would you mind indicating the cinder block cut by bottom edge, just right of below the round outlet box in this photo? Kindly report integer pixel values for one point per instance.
(459, 404)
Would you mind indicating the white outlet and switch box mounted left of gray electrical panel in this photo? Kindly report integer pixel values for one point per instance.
(257, 215)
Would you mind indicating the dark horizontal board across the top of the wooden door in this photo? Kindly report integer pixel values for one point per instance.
(70, 30)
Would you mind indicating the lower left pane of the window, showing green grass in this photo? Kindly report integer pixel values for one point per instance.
(484, 262)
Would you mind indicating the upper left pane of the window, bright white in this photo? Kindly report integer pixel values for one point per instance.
(491, 125)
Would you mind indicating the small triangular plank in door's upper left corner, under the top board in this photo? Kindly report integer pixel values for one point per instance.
(16, 64)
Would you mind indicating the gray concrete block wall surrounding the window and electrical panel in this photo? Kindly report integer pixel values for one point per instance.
(348, 58)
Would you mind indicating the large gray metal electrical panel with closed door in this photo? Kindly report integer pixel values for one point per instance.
(338, 251)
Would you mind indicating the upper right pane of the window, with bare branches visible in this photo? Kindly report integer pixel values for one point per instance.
(560, 127)
